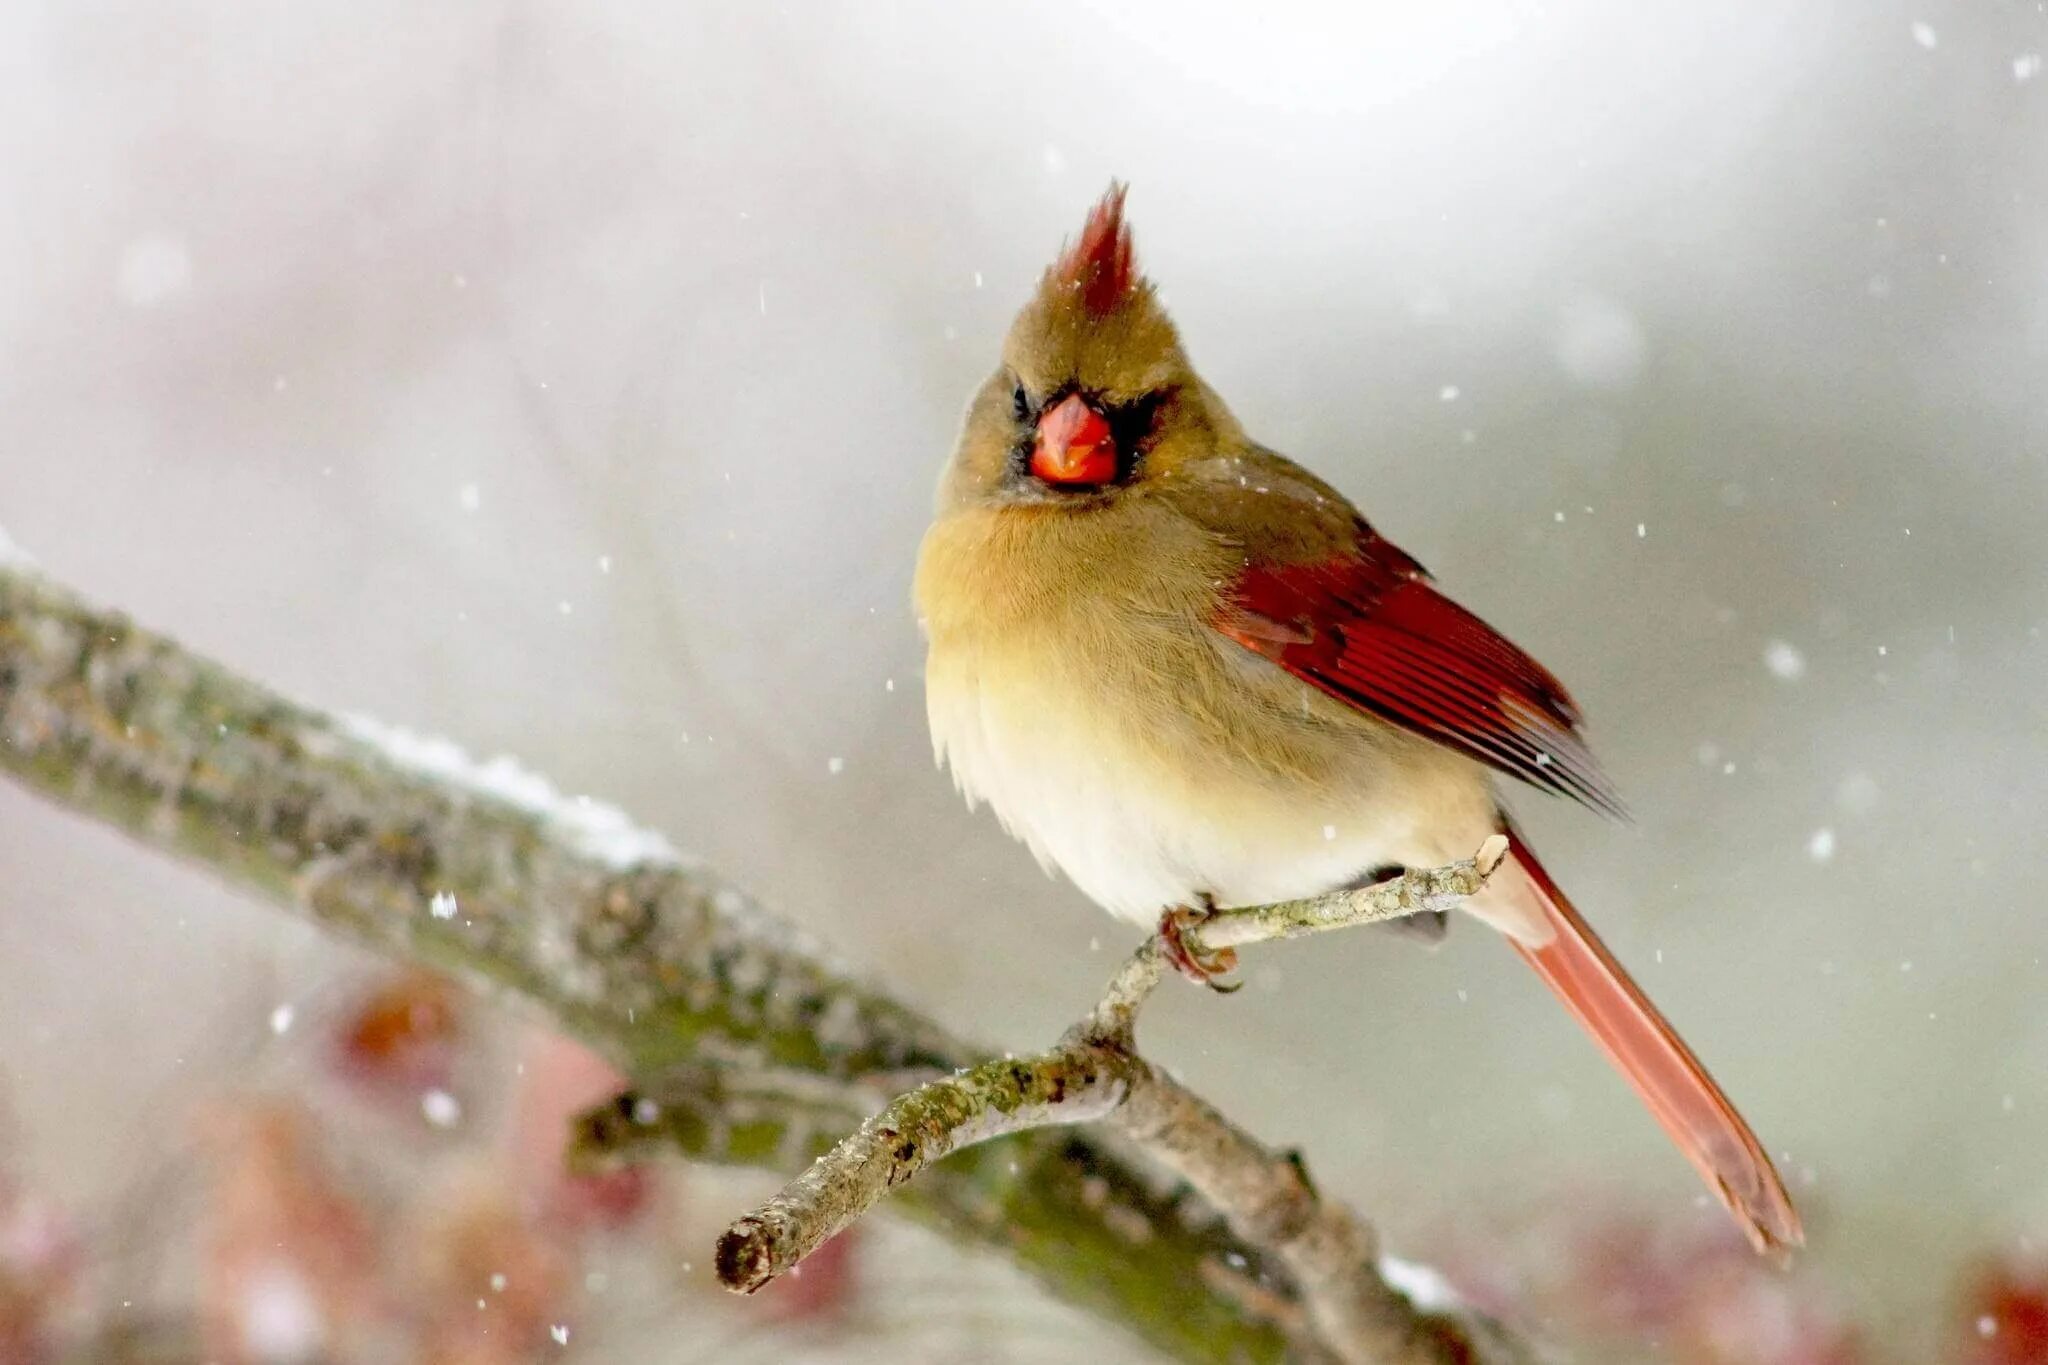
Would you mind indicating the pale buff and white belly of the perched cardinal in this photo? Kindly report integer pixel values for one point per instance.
(1170, 781)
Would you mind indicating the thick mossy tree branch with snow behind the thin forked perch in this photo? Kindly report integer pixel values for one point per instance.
(566, 910)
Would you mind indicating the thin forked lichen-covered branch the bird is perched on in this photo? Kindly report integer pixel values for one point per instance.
(1097, 1075)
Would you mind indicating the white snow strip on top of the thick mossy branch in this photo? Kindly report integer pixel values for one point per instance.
(593, 828)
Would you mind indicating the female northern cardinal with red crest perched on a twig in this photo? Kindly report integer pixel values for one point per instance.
(1189, 674)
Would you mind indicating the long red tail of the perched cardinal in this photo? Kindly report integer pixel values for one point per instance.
(1670, 1080)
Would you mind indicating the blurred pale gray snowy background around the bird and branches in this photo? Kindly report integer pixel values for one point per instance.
(572, 382)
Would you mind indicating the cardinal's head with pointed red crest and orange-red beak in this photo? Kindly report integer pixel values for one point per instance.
(1095, 396)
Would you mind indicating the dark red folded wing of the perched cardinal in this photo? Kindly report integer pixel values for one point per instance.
(1369, 629)
